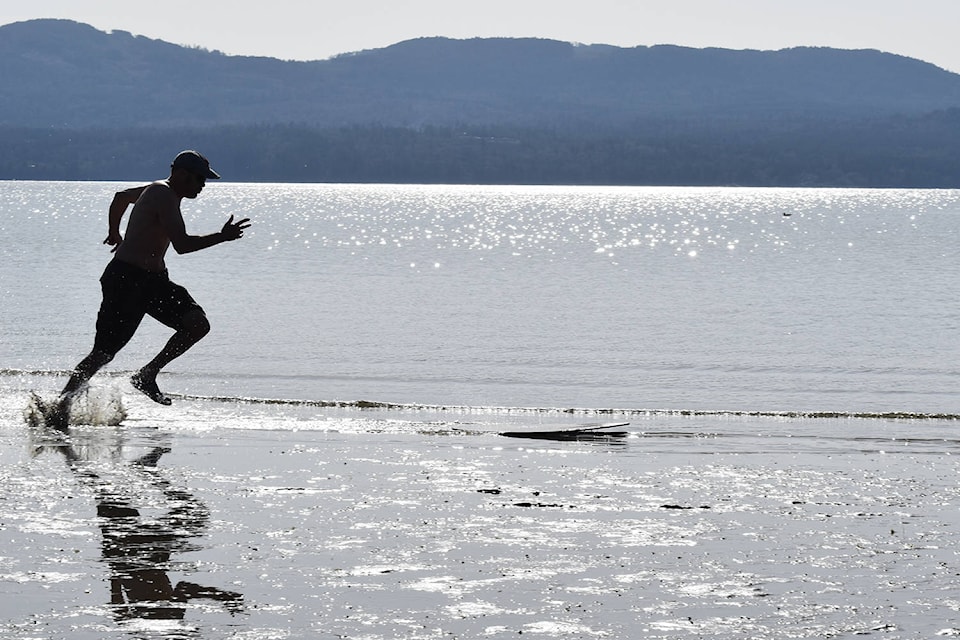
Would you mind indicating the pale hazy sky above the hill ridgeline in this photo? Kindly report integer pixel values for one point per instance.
(316, 29)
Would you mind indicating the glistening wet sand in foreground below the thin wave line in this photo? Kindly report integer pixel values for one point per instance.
(257, 524)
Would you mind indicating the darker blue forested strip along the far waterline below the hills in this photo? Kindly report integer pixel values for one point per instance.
(921, 152)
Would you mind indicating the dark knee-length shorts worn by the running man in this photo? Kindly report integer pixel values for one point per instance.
(129, 293)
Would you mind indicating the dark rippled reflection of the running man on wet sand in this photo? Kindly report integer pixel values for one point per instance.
(138, 550)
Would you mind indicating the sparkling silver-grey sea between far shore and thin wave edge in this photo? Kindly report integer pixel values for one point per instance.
(677, 299)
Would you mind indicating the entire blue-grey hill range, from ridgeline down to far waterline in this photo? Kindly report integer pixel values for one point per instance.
(80, 104)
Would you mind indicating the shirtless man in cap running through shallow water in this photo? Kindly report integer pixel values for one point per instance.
(135, 283)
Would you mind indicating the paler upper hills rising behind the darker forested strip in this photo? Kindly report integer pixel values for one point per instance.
(58, 73)
